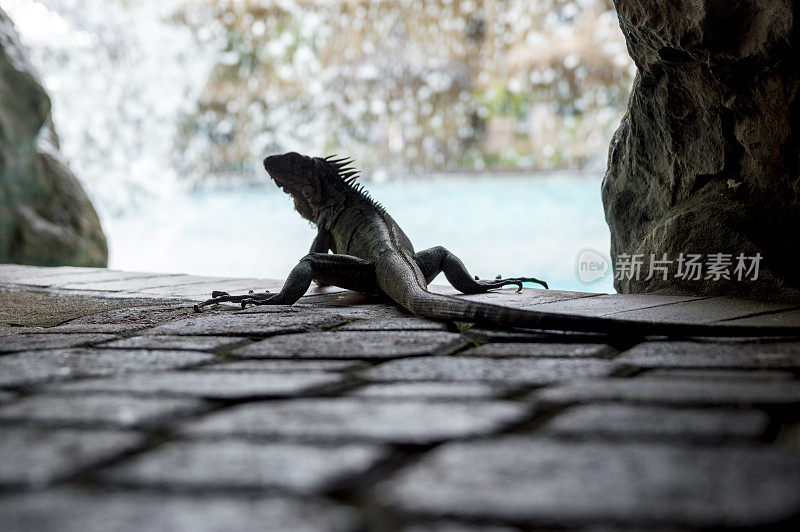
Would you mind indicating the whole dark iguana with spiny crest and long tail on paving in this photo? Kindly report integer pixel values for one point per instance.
(372, 255)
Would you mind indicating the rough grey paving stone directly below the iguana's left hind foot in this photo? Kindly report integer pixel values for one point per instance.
(280, 320)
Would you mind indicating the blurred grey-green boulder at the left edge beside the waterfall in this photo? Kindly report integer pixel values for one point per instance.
(45, 216)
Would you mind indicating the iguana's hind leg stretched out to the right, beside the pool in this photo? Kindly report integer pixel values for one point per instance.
(438, 259)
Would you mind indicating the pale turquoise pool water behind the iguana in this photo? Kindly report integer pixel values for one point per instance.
(532, 226)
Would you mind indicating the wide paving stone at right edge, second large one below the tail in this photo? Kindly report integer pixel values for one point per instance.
(689, 392)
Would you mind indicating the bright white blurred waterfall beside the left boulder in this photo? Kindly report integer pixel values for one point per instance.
(120, 76)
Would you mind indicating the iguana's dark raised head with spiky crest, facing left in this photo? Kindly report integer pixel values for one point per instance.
(313, 182)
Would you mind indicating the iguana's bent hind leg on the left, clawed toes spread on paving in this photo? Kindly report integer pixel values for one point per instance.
(343, 271)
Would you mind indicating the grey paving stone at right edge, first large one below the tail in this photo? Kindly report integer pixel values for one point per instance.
(724, 354)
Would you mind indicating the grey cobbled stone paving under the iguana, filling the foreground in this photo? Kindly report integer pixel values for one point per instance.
(122, 409)
